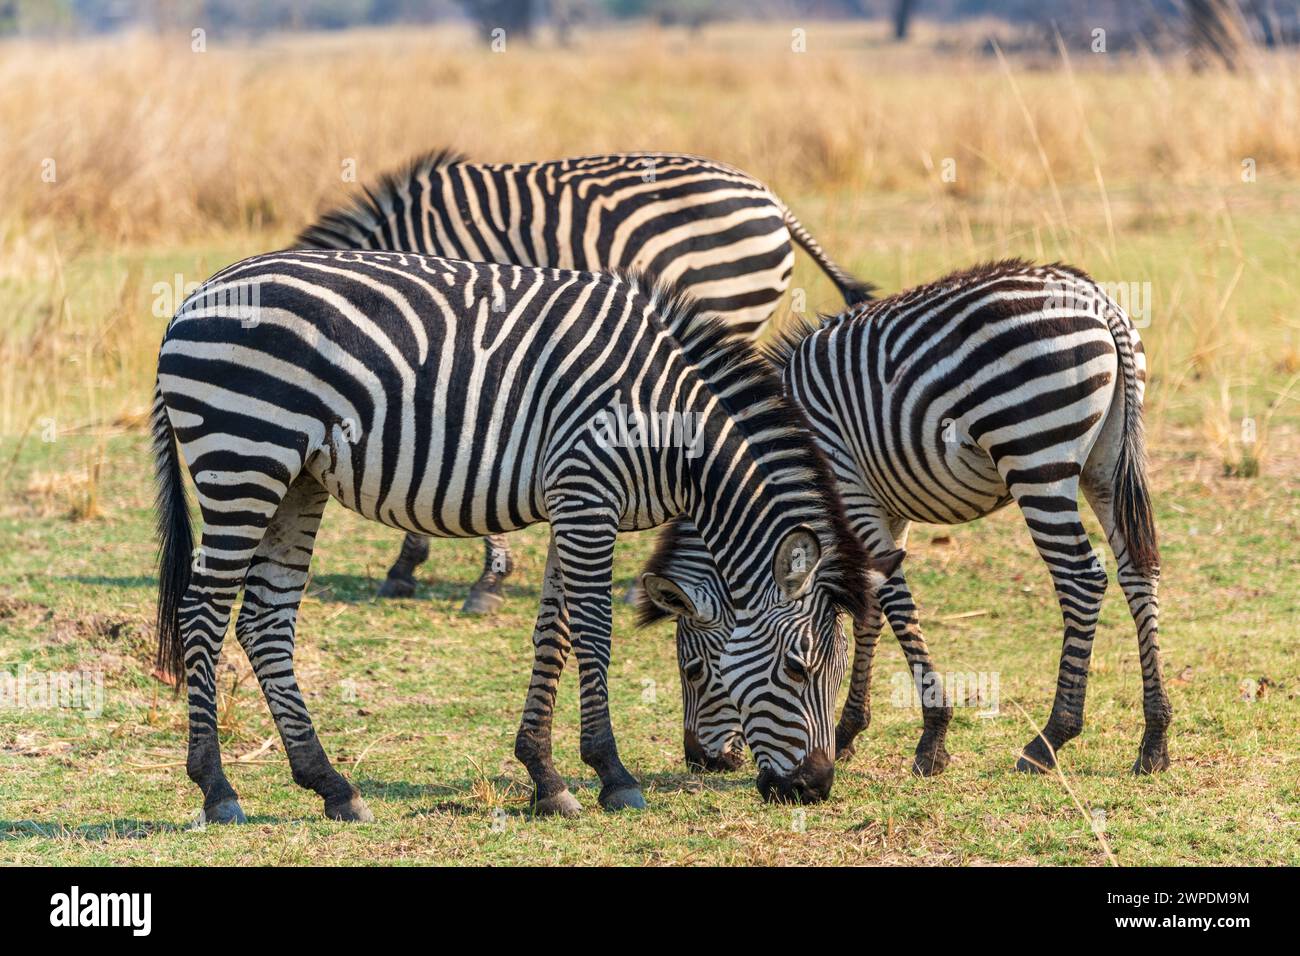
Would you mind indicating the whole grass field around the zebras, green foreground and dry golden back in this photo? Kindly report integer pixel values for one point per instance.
(1133, 171)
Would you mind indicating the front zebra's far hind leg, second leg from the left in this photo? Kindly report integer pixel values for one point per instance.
(274, 591)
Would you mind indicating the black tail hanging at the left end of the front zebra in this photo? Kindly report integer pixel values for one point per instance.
(176, 542)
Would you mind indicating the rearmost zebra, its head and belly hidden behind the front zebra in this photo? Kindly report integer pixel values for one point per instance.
(709, 230)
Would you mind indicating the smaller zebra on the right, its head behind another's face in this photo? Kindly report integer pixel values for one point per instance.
(1004, 383)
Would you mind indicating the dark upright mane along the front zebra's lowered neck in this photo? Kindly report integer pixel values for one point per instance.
(752, 392)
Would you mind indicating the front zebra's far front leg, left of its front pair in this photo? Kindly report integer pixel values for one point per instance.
(551, 652)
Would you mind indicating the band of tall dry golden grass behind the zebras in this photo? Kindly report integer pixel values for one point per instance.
(151, 140)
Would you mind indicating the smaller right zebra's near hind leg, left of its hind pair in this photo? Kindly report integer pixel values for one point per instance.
(1052, 513)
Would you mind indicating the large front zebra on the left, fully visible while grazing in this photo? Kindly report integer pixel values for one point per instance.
(456, 400)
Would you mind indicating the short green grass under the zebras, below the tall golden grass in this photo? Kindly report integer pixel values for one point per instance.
(428, 734)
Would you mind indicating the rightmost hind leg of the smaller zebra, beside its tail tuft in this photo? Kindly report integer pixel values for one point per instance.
(1141, 591)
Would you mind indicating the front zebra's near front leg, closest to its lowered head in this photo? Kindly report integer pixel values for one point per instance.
(586, 550)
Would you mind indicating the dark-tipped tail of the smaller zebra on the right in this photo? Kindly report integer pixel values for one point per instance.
(1134, 514)
